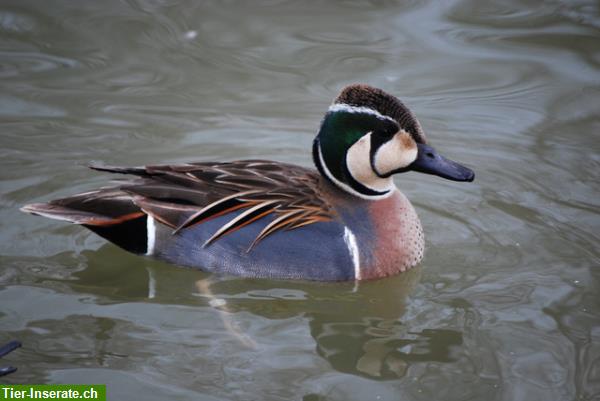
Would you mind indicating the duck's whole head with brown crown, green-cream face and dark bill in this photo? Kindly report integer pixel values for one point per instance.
(367, 136)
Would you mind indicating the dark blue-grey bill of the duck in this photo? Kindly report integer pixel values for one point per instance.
(429, 161)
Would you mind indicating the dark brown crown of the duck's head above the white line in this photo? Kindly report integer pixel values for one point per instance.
(362, 95)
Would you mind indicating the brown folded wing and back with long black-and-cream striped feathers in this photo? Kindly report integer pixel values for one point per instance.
(184, 195)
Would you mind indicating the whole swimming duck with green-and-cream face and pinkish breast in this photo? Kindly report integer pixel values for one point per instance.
(345, 220)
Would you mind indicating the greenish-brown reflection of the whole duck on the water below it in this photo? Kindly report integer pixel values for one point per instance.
(367, 329)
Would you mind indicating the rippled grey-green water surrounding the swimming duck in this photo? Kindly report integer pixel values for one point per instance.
(505, 305)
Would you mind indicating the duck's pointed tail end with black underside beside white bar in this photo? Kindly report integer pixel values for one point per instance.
(109, 213)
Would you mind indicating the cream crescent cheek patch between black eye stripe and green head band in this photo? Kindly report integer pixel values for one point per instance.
(358, 161)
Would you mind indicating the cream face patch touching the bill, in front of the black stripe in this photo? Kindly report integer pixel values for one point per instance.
(398, 152)
